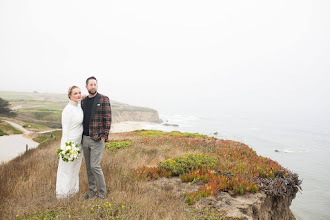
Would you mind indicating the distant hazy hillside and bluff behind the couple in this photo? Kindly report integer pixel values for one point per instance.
(44, 109)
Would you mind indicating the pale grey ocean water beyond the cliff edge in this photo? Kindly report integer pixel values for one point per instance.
(304, 148)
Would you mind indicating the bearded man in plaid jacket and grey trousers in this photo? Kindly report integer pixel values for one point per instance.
(97, 122)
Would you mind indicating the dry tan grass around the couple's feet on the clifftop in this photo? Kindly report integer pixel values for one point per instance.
(28, 184)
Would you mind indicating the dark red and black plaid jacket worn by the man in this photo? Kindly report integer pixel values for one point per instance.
(100, 121)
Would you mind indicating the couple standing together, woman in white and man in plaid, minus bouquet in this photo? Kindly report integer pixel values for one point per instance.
(87, 123)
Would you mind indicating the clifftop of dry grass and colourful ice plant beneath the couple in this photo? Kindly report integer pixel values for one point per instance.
(135, 165)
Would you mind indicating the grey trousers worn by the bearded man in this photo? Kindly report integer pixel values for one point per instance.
(93, 155)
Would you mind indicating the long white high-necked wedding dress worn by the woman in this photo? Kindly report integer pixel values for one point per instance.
(67, 181)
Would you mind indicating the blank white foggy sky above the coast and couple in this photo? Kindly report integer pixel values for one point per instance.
(185, 57)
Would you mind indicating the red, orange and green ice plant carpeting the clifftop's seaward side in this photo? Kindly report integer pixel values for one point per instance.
(224, 166)
